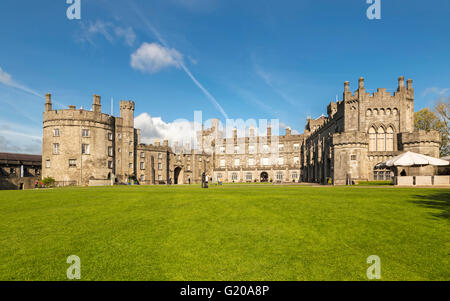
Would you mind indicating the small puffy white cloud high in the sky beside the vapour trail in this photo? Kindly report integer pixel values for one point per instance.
(152, 57)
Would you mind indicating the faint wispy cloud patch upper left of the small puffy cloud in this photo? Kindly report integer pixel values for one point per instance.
(108, 30)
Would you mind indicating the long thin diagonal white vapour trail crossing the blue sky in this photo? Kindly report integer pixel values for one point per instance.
(183, 66)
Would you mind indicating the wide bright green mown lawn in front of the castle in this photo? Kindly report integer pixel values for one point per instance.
(230, 232)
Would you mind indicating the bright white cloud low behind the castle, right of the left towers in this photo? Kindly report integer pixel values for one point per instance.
(152, 128)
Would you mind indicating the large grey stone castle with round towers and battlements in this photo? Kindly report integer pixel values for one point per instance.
(92, 148)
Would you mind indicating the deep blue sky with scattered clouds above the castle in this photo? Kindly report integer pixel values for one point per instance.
(254, 59)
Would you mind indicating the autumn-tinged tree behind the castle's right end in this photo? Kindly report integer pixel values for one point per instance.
(437, 120)
